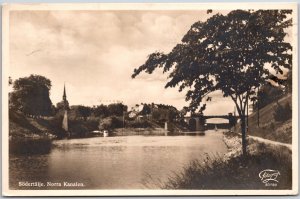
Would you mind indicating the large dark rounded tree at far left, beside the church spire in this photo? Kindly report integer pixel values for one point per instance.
(30, 95)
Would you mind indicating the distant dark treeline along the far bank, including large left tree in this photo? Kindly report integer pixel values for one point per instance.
(31, 96)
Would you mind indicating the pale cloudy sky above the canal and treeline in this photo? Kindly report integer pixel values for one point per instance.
(94, 54)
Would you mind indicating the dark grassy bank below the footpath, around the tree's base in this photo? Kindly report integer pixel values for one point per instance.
(235, 171)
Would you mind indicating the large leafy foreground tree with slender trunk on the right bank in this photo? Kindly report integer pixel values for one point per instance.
(227, 53)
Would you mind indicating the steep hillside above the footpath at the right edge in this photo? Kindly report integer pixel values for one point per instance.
(269, 128)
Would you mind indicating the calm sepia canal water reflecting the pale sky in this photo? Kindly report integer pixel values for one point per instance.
(131, 162)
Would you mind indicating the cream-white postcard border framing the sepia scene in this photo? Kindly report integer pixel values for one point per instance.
(142, 6)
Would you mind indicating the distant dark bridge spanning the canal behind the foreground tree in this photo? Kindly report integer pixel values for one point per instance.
(197, 122)
